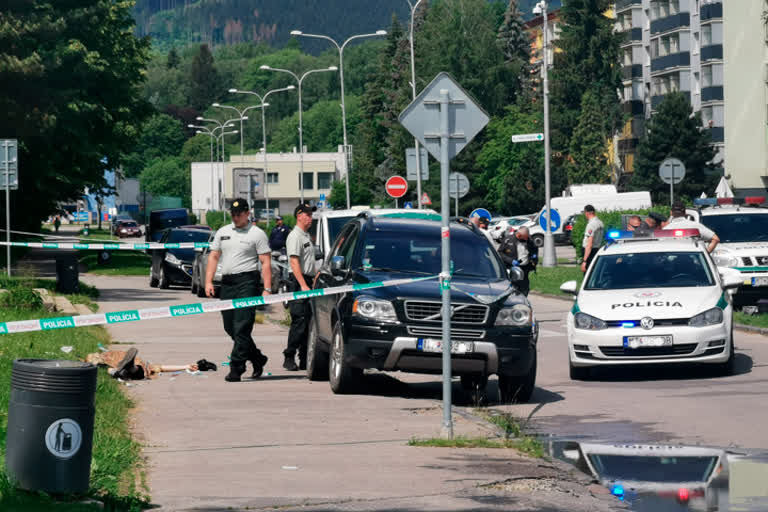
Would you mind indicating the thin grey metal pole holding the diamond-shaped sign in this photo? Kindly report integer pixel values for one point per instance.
(445, 278)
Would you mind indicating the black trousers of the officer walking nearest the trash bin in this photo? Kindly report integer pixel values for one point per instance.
(238, 323)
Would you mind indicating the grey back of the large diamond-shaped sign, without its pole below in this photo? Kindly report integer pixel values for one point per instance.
(465, 117)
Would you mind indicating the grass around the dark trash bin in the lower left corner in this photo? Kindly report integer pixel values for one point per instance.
(116, 456)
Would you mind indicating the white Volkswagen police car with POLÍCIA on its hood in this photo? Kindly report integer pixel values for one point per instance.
(653, 300)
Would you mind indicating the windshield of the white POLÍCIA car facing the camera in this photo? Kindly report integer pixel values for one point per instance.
(649, 270)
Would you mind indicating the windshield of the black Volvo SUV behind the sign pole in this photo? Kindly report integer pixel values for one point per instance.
(416, 252)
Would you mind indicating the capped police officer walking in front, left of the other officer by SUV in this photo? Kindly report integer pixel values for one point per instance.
(246, 272)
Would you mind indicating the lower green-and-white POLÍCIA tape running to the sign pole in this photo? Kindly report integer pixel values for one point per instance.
(183, 310)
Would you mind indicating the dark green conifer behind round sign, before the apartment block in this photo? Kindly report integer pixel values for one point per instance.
(675, 131)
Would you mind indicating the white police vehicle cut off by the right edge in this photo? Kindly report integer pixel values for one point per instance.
(742, 226)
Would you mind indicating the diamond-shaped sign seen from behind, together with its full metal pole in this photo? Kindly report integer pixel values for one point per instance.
(444, 118)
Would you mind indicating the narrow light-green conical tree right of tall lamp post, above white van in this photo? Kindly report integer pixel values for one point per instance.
(588, 161)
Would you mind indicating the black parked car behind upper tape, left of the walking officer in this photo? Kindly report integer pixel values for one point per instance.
(174, 266)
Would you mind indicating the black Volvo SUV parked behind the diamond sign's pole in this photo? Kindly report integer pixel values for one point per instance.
(398, 327)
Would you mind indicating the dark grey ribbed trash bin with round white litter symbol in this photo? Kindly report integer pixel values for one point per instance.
(50, 425)
